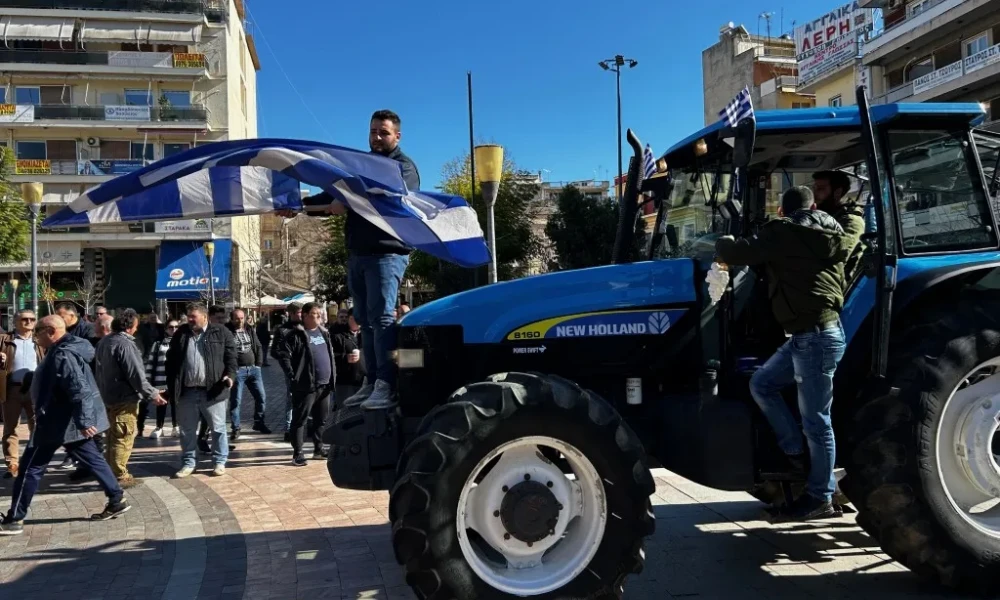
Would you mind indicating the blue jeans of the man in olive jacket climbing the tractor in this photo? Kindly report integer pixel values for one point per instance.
(810, 361)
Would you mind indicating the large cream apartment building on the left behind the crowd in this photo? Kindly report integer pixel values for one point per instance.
(92, 89)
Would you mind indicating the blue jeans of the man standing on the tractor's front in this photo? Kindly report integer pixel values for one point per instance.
(374, 285)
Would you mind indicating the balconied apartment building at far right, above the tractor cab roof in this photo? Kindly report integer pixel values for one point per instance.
(936, 50)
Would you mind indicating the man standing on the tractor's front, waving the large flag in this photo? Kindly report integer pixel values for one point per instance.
(375, 266)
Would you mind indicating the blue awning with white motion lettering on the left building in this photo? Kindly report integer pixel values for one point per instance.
(183, 270)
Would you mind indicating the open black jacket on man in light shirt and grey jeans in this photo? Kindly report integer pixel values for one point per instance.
(220, 361)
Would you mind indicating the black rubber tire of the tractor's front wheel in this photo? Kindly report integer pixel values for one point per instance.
(450, 425)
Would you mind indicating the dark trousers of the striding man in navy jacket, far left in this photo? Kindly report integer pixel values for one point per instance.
(36, 460)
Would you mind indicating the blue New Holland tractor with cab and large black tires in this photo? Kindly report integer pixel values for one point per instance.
(531, 411)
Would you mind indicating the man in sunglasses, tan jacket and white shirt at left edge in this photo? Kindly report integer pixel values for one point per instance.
(20, 354)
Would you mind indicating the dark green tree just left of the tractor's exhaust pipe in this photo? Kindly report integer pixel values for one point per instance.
(583, 230)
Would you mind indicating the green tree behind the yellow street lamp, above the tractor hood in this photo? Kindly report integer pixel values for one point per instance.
(517, 245)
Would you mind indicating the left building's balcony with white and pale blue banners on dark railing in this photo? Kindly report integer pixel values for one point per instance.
(113, 116)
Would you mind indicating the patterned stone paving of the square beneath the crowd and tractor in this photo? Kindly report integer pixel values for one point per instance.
(270, 530)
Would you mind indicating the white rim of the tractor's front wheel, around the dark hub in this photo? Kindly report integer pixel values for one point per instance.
(554, 561)
